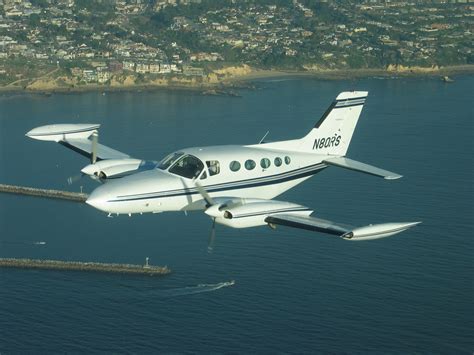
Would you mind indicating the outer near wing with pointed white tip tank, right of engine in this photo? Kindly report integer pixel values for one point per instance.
(372, 231)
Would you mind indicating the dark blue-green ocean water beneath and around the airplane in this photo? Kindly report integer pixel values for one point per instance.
(295, 291)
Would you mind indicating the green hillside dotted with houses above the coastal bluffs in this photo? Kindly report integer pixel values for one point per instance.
(283, 34)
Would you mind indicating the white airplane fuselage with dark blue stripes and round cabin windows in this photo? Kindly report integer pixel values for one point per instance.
(158, 190)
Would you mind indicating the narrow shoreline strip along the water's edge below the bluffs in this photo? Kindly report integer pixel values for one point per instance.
(226, 85)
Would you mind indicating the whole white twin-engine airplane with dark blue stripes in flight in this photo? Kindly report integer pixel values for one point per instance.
(234, 185)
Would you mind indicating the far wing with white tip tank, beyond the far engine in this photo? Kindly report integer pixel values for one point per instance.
(76, 137)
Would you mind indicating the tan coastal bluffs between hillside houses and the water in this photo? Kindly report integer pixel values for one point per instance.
(229, 76)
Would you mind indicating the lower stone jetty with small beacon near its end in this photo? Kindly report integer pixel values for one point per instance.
(60, 265)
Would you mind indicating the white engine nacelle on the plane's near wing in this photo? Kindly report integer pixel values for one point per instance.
(254, 213)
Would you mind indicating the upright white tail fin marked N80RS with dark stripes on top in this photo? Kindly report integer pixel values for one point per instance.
(332, 134)
